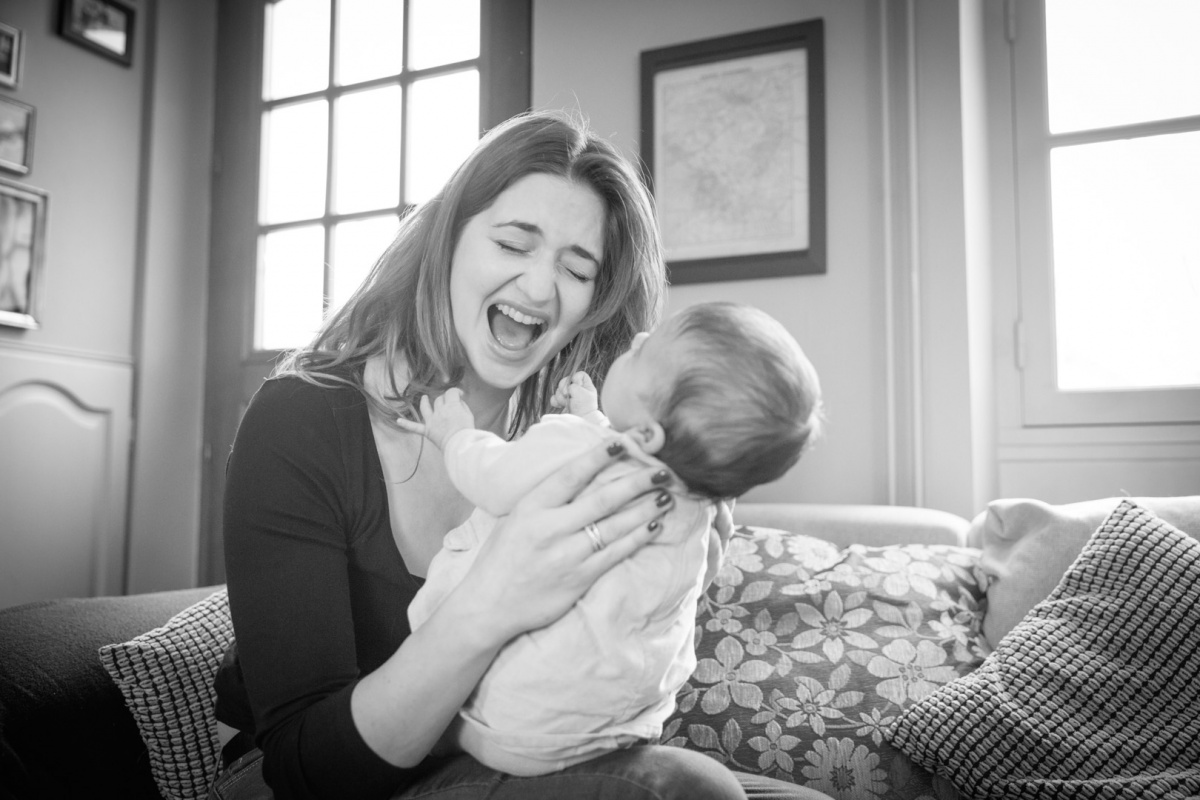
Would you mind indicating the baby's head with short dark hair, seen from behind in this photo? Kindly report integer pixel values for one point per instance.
(722, 393)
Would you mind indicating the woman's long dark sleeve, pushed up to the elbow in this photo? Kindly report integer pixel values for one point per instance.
(286, 534)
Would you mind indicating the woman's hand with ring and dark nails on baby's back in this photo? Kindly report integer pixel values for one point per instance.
(542, 558)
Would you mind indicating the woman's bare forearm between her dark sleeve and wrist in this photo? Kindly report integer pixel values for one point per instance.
(403, 708)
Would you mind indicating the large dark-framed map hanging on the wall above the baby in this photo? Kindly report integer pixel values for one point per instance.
(734, 151)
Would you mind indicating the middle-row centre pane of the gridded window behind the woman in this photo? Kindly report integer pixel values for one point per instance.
(367, 169)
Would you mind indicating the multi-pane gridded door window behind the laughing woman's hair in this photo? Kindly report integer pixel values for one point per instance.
(368, 107)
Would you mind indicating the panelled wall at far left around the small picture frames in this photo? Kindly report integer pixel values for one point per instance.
(113, 378)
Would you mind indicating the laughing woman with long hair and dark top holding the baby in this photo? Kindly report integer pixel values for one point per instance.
(538, 260)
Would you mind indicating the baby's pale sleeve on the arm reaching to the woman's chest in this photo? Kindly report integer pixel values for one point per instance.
(495, 474)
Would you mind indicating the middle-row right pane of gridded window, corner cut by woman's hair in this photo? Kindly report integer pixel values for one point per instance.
(443, 129)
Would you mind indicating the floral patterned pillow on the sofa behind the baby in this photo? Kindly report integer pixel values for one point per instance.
(807, 654)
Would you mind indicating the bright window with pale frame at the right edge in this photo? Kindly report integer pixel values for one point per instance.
(1108, 137)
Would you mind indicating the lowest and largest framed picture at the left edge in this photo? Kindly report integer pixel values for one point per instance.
(22, 243)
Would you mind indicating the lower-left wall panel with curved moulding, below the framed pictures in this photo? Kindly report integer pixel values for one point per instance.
(64, 477)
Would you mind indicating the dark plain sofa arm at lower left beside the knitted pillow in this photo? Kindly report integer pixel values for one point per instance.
(64, 727)
